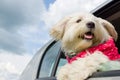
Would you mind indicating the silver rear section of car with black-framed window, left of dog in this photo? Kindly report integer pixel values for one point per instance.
(43, 65)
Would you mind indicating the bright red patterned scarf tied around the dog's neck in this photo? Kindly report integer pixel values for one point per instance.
(108, 48)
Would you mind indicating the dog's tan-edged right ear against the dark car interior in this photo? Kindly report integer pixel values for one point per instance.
(110, 28)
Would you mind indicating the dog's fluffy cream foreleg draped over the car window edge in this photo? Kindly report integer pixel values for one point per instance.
(82, 67)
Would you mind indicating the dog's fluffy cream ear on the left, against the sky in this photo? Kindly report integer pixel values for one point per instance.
(57, 31)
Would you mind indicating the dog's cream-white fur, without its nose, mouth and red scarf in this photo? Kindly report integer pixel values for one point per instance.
(68, 32)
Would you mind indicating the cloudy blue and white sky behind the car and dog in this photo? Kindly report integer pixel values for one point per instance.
(24, 29)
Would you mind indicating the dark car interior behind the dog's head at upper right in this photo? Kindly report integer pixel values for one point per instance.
(111, 12)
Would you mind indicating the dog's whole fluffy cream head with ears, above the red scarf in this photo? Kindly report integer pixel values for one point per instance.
(81, 31)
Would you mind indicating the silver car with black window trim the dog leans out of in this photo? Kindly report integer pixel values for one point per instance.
(50, 58)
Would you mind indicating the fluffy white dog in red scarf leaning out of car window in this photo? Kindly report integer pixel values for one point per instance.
(88, 44)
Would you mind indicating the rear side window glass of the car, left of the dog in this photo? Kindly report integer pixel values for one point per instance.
(49, 60)
